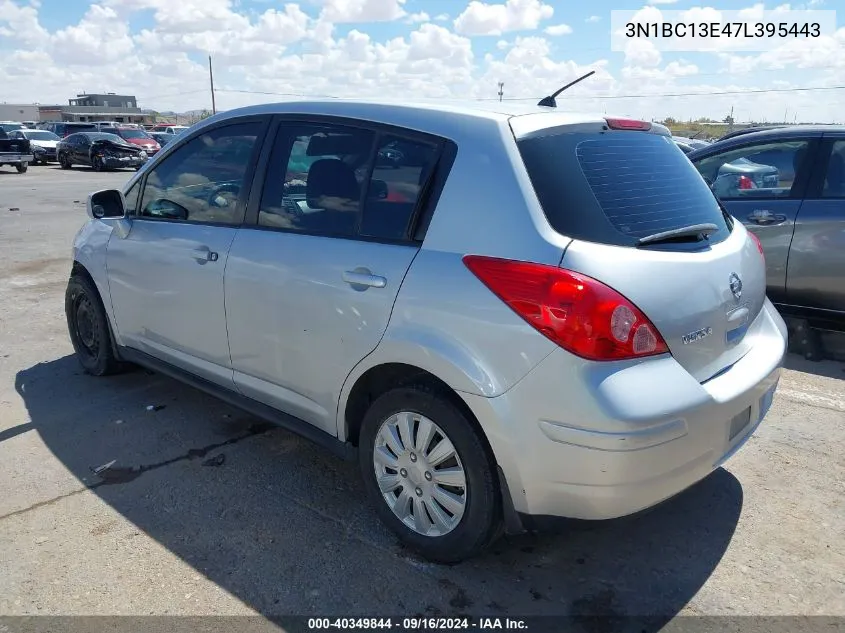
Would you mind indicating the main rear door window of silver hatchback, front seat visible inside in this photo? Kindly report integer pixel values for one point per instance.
(315, 179)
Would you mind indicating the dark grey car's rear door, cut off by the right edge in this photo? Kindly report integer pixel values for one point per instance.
(816, 273)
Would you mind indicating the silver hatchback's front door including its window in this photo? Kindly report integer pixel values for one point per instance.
(166, 272)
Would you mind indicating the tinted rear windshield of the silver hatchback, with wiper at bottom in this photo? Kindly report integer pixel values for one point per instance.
(618, 187)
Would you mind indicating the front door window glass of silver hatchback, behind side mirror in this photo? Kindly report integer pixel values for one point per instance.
(202, 180)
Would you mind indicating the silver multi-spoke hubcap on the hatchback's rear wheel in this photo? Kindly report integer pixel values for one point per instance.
(420, 474)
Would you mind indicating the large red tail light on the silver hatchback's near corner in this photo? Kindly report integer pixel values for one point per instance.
(579, 313)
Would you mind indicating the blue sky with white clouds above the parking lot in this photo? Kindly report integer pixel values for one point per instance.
(157, 49)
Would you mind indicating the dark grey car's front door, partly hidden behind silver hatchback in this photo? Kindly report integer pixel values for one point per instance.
(762, 183)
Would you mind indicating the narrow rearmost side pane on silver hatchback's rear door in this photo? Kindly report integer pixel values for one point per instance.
(401, 171)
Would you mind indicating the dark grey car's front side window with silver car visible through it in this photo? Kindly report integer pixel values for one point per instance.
(763, 170)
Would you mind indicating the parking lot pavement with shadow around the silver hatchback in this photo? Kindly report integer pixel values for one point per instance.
(277, 526)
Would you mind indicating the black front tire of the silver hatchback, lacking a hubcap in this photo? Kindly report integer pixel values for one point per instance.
(89, 328)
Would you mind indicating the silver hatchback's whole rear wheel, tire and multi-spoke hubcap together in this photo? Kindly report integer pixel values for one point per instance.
(428, 473)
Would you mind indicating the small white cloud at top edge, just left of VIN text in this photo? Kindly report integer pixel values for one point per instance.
(494, 19)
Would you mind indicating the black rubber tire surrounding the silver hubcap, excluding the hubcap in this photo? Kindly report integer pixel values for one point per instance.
(479, 524)
